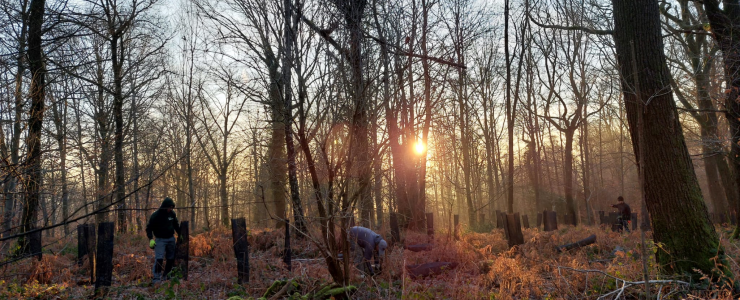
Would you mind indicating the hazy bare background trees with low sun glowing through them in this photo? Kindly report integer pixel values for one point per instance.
(390, 106)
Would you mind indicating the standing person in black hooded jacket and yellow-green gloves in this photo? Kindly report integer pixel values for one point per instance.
(161, 230)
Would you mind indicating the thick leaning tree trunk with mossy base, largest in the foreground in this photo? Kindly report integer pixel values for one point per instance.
(673, 198)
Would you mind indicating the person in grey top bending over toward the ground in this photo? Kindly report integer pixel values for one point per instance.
(372, 244)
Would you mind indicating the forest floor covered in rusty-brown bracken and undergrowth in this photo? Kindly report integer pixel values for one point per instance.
(487, 268)
